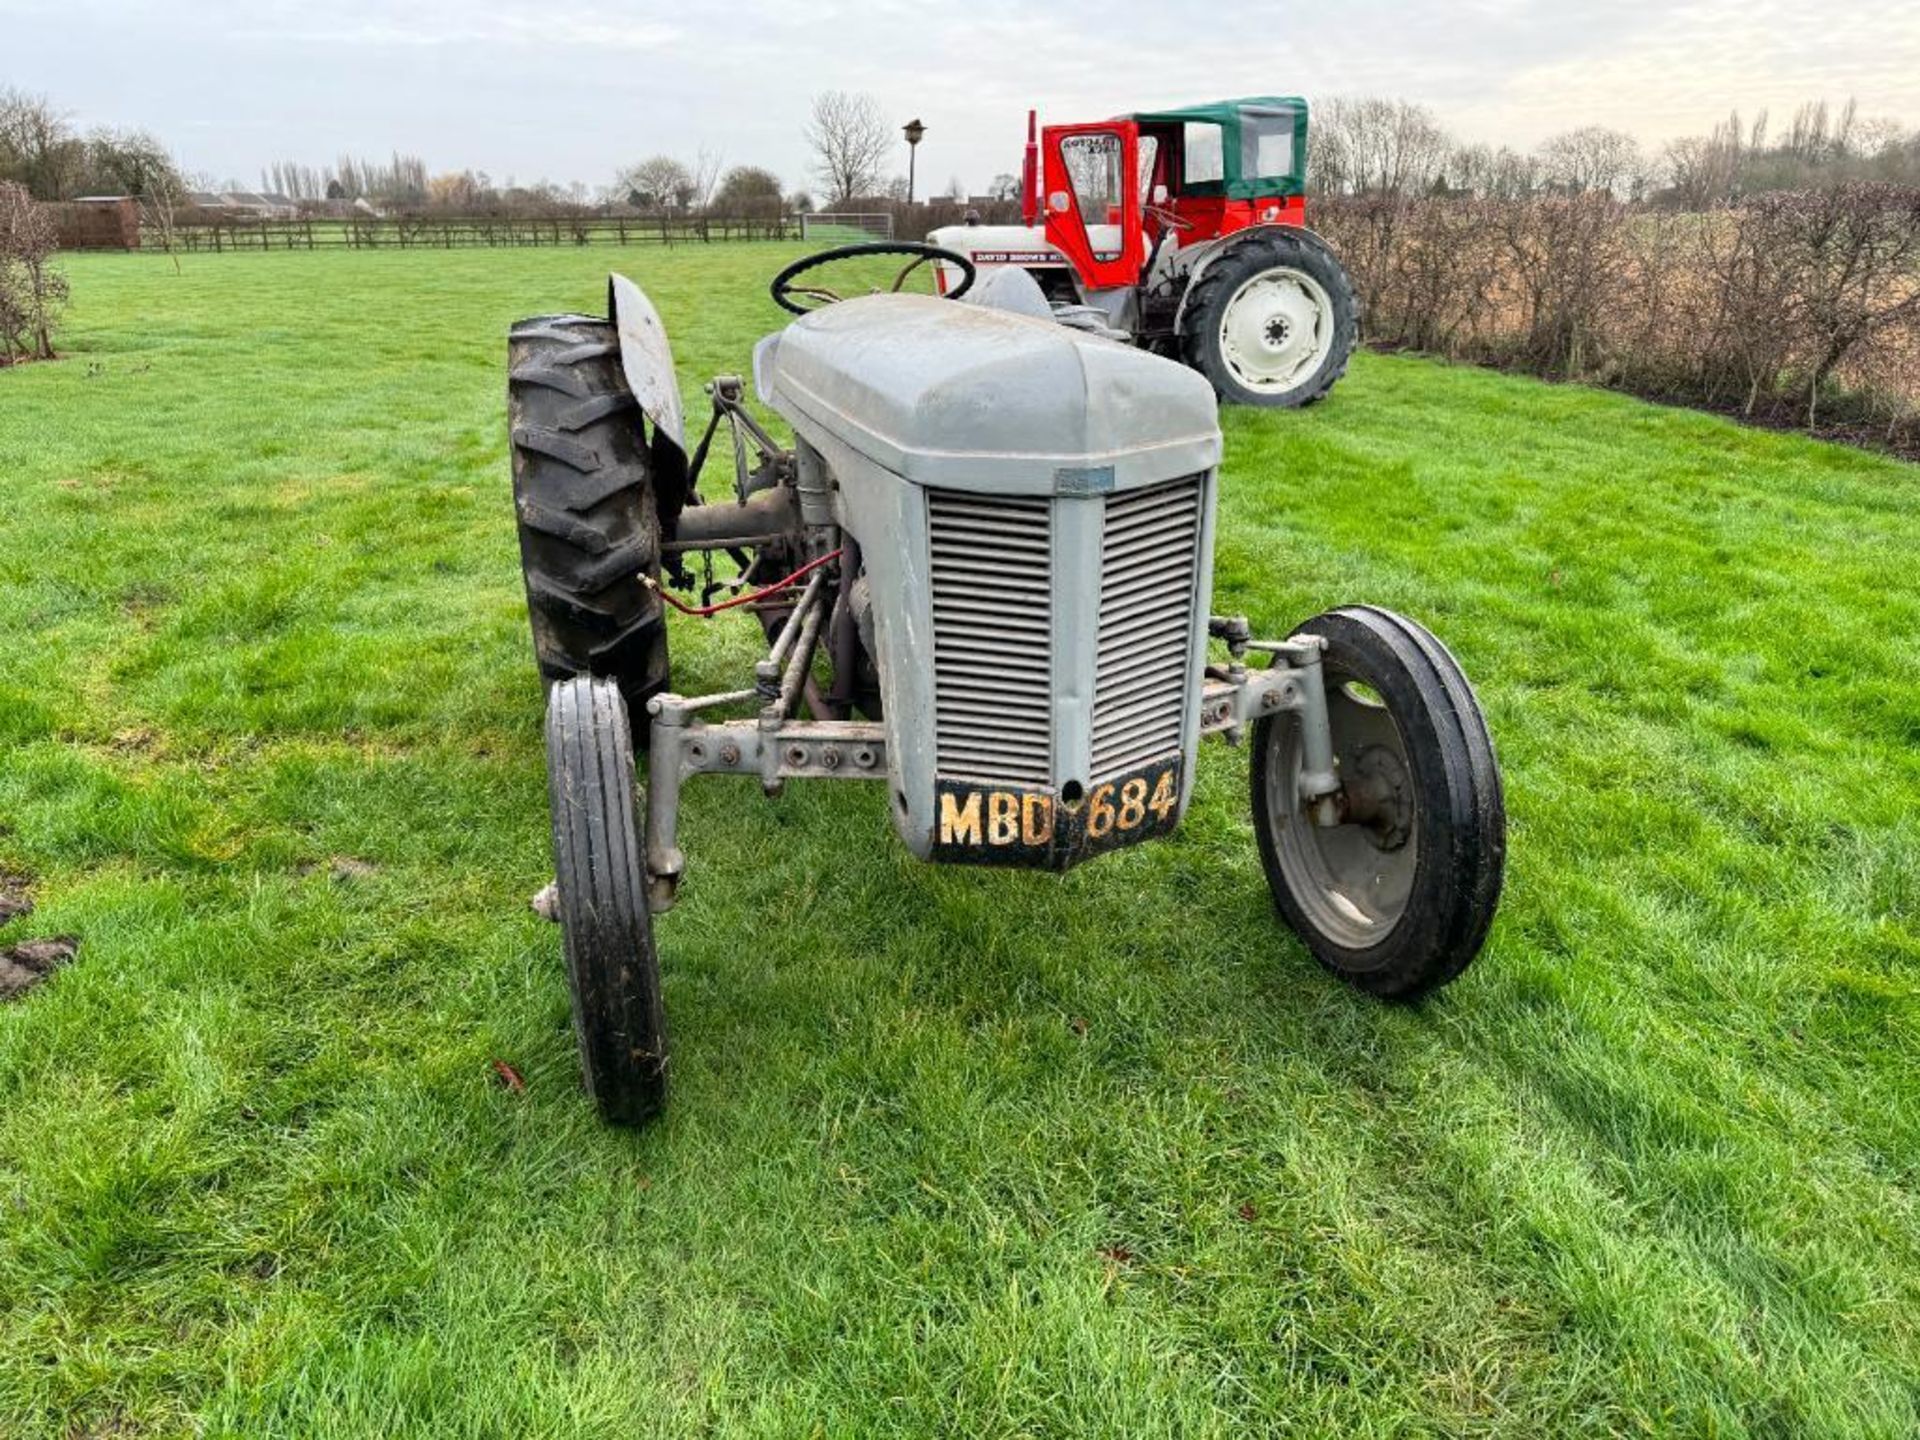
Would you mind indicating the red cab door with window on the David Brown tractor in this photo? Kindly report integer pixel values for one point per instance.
(1092, 193)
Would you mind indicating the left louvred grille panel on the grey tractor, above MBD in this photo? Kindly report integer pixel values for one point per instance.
(992, 636)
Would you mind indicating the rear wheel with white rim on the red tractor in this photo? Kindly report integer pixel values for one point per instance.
(1272, 320)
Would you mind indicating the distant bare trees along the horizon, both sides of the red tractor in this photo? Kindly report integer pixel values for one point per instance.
(1358, 147)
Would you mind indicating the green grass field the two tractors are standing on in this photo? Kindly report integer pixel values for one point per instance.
(951, 1153)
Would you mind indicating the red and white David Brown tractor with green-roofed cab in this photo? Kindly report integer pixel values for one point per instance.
(1184, 231)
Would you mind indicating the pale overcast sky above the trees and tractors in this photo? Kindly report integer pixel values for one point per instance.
(571, 91)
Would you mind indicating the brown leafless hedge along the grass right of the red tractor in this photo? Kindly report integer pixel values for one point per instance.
(1788, 306)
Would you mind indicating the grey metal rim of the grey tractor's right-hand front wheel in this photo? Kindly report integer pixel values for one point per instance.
(1353, 880)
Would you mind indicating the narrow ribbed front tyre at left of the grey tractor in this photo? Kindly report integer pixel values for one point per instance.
(602, 900)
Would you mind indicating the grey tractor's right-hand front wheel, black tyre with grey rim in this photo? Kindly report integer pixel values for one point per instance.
(1399, 898)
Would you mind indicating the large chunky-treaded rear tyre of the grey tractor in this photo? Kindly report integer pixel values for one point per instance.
(583, 491)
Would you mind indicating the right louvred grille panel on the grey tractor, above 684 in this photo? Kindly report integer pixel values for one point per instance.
(1147, 617)
